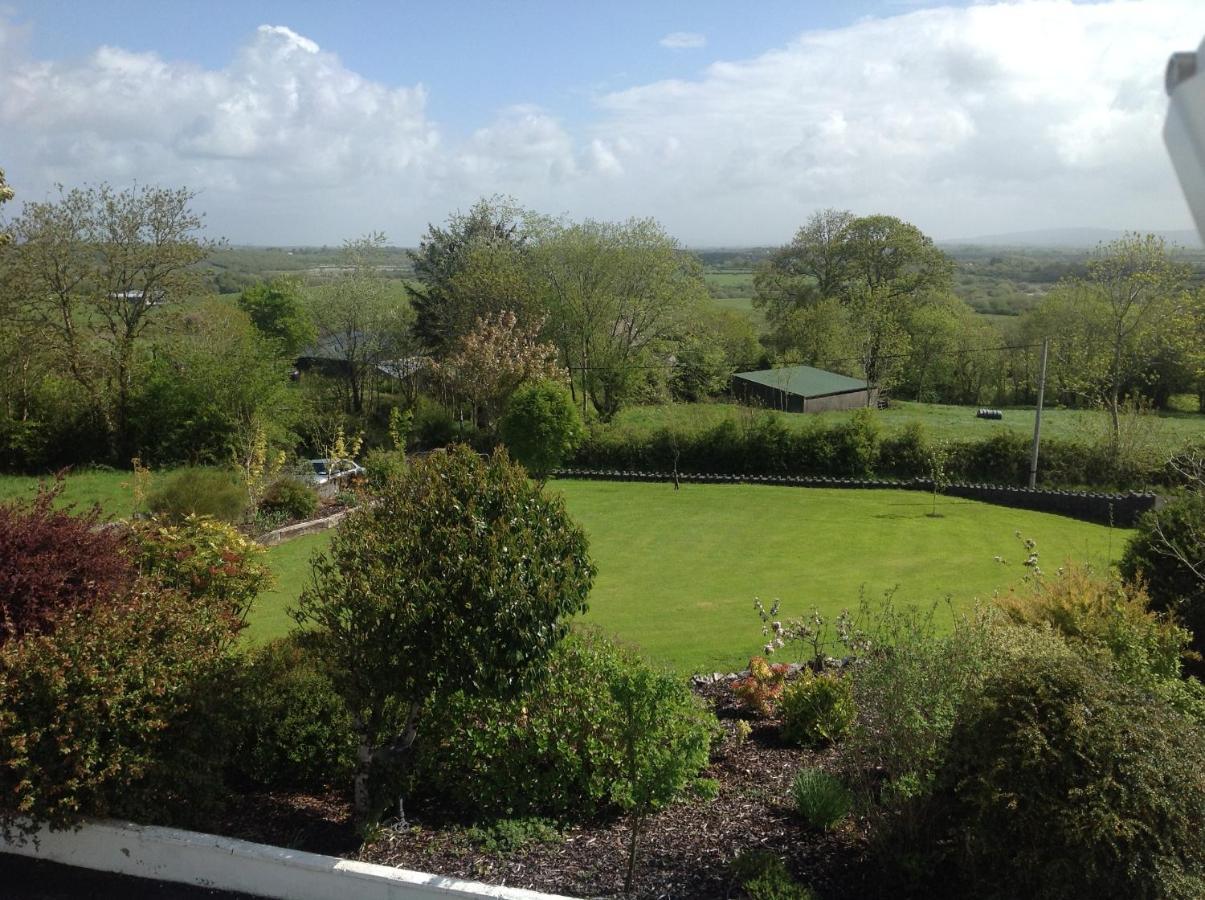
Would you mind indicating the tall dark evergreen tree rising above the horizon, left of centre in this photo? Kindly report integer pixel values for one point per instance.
(473, 268)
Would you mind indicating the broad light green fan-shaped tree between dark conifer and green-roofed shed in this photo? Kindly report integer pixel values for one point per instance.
(618, 296)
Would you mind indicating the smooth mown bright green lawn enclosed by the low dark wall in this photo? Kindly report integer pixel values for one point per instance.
(679, 570)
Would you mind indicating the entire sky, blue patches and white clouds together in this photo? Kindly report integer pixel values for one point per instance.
(313, 122)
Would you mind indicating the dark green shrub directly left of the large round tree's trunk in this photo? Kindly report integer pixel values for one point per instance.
(296, 730)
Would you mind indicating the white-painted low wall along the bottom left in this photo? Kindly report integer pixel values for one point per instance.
(230, 864)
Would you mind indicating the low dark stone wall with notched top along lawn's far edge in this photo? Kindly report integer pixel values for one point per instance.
(1122, 510)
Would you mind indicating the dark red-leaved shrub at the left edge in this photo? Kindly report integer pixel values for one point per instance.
(52, 562)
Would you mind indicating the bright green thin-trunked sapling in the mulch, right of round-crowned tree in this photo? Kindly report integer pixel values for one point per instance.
(663, 746)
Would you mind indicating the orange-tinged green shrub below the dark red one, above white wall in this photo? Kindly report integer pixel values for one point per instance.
(124, 710)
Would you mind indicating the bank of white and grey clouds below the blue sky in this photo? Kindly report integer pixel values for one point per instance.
(966, 121)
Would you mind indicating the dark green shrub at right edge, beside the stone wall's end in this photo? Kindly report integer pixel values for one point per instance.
(1168, 554)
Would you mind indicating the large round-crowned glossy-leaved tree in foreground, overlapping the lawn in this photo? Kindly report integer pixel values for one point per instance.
(460, 578)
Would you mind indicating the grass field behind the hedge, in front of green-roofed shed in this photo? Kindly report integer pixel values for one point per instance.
(942, 421)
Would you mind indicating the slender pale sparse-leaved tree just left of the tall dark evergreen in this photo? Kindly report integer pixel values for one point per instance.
(360, 325)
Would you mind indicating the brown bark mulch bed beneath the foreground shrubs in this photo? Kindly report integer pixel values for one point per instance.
(685, 850)
